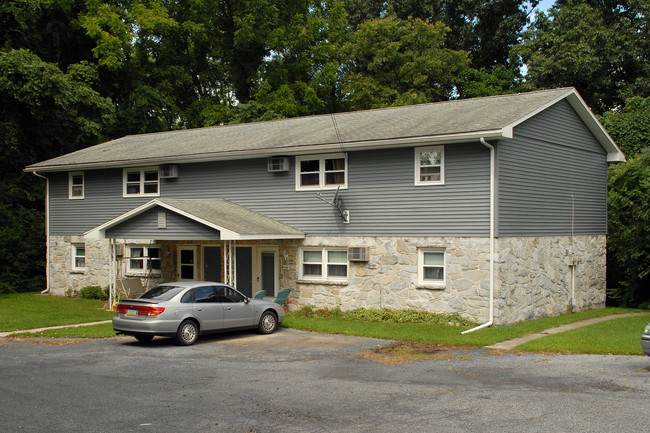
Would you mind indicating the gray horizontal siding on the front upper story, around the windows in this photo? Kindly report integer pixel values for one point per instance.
(381, 195)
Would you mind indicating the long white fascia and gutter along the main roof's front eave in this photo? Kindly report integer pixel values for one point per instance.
(284, 151)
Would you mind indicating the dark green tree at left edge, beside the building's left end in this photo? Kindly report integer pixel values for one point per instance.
(44, 112)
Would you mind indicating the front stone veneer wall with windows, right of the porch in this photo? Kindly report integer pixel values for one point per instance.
(390, 278)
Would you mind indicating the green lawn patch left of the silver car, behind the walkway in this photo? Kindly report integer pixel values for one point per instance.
(33, 310)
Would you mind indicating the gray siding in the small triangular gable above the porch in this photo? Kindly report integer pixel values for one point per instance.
(145, 226)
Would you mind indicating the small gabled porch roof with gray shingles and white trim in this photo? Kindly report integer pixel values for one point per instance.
(230, 221)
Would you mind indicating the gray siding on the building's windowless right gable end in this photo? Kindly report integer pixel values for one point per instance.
(552, 158)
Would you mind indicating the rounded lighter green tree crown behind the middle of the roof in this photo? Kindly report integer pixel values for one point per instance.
(398, 62)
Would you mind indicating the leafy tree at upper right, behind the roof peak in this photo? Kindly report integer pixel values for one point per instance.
(601, 48)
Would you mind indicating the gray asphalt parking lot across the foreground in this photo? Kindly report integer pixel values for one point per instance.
(295, 381)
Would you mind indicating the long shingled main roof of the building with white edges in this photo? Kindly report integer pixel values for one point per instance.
(442, 122)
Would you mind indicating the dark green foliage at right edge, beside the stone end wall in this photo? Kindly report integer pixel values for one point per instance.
(628, 254)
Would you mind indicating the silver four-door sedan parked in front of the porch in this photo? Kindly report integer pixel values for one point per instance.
(186, 309)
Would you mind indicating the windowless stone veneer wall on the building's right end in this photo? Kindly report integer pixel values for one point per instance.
(533, 276)
